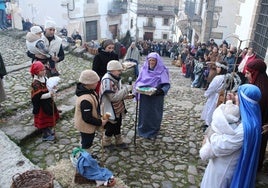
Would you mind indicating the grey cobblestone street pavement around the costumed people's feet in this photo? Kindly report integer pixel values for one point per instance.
(172, 160)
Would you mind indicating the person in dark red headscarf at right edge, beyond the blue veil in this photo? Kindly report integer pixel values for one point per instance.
(256, 74)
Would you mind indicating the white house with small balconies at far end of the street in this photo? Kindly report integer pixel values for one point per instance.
(155, 19)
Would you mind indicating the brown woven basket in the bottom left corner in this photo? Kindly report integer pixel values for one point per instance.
(33, 179)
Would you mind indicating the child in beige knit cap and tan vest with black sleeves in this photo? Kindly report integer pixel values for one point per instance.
(87, 116)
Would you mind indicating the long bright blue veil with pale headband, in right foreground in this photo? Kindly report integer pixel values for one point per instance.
(246, 169)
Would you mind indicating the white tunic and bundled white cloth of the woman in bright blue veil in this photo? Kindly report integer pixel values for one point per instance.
(223, 150)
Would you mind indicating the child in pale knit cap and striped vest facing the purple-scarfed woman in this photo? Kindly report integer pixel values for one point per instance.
(112, 101)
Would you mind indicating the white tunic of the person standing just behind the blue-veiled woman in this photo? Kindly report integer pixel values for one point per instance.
(212, 94)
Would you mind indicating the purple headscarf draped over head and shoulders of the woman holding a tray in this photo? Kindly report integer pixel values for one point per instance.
(153, 78)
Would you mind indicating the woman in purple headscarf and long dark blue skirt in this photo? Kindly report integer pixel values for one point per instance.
(153, 74)
